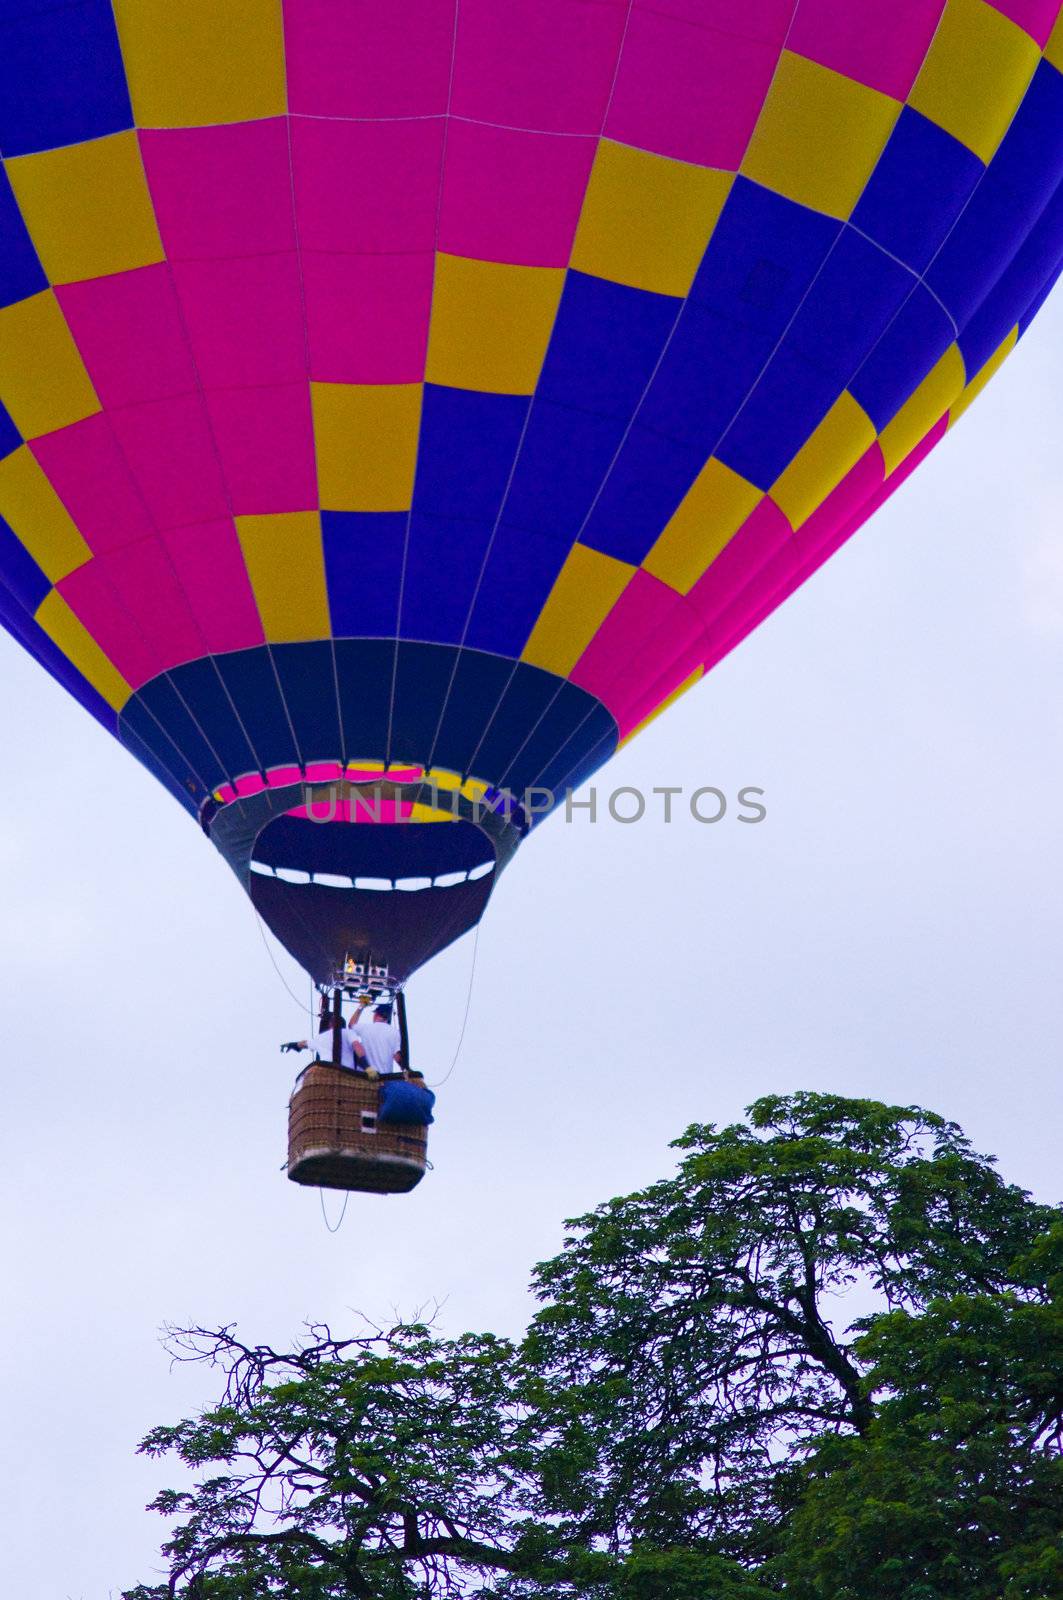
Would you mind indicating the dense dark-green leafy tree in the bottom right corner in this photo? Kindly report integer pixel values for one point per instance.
(957, 1489)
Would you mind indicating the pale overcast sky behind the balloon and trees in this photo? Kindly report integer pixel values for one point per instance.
(893, 929)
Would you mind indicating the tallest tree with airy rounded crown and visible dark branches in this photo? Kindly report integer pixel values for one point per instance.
(694, 1342)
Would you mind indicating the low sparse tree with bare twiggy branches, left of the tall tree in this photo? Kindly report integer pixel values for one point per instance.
(375, 1466)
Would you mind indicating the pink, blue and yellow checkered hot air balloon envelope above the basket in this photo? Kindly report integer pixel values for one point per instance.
(422, 398)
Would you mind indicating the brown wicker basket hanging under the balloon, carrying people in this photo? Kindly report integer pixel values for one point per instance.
(335, 1140)
